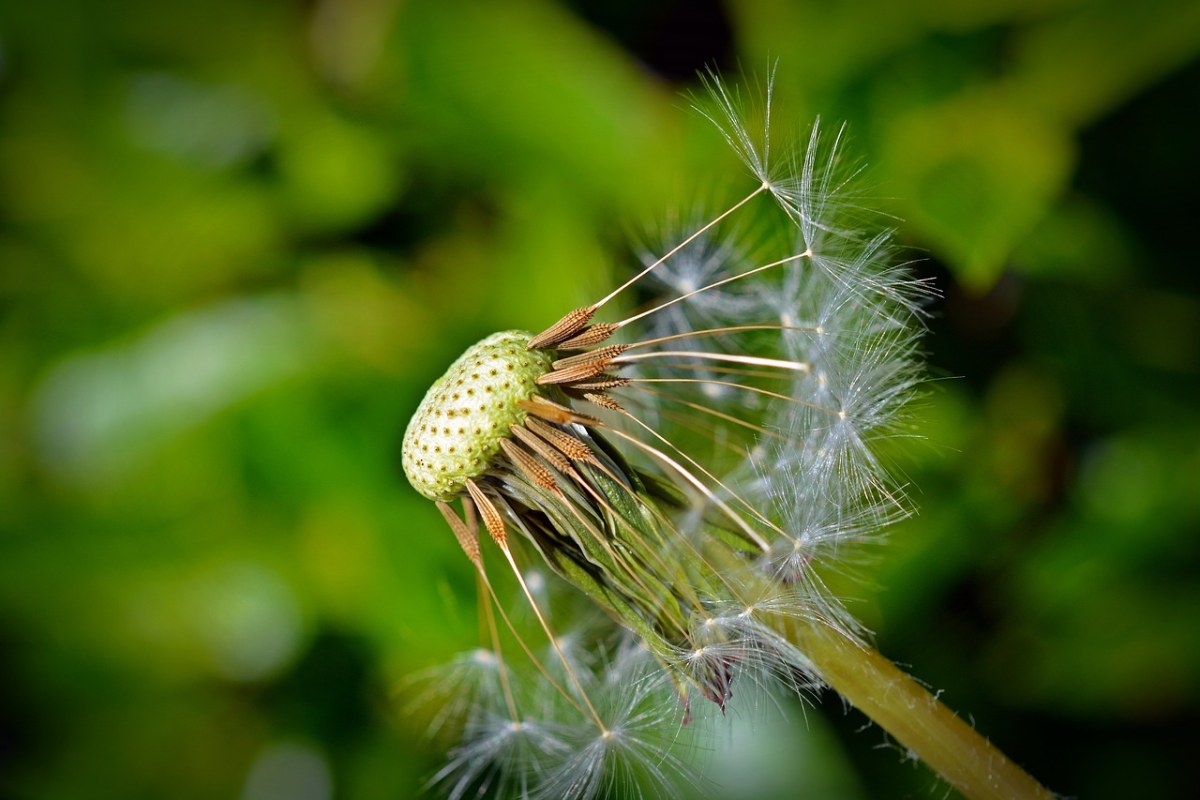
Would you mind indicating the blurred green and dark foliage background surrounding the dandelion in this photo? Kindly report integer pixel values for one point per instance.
(239, 239)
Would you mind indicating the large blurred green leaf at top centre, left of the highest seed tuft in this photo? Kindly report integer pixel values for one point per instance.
(547, 98)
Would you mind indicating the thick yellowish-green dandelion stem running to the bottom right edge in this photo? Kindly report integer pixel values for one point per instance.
(908, 712)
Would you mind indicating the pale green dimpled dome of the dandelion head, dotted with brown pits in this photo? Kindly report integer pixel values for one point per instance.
(458, 429)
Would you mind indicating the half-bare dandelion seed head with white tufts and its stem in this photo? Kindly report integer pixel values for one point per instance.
(697, 471)
